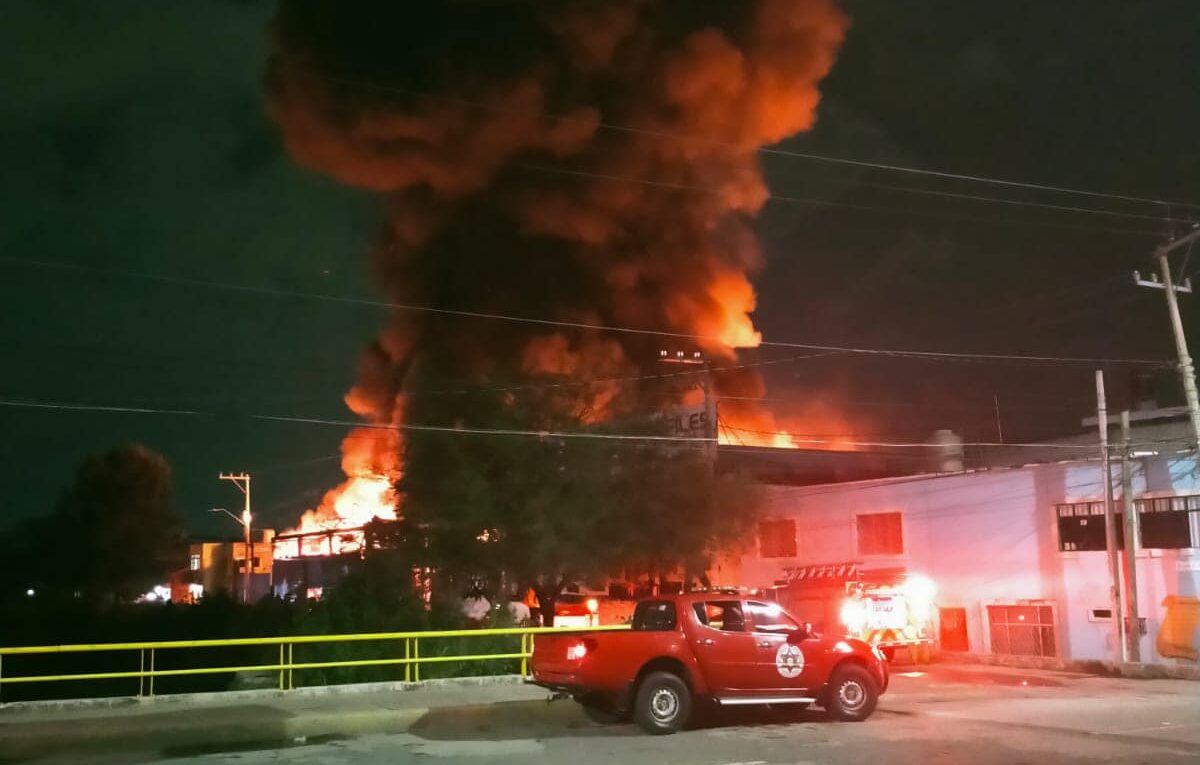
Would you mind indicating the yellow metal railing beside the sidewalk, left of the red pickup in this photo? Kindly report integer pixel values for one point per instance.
(286, 666)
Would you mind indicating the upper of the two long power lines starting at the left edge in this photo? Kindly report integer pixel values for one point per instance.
(577, 326)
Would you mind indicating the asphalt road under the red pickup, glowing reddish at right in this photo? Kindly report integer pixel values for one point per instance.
(943, 715)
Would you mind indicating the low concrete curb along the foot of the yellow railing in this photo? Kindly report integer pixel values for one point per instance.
(257, 695)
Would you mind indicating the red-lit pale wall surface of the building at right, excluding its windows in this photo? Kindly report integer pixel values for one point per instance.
(991, 538)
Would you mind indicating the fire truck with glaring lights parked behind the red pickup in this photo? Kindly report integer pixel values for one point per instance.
(892, 610)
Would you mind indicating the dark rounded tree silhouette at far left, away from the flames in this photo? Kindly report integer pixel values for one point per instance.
(115, 532)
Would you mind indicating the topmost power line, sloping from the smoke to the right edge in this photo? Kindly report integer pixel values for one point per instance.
(769, 150)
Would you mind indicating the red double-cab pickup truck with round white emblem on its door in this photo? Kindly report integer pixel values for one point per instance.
(715, 647)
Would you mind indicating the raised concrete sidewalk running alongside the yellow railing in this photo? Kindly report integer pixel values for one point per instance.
(183, 725)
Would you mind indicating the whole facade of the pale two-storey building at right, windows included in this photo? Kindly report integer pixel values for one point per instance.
(1018, 555)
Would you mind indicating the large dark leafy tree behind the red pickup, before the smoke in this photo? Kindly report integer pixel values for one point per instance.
(548, 511)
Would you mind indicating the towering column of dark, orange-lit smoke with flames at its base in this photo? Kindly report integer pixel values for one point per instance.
(571, 166)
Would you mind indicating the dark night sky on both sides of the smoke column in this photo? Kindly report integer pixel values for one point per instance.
(136, 142)
